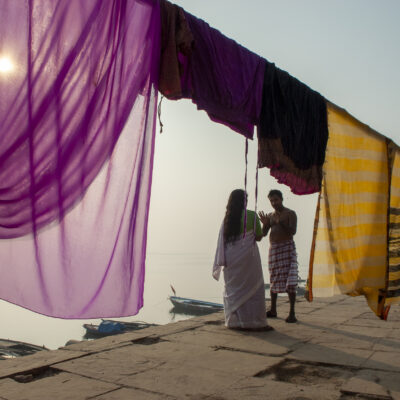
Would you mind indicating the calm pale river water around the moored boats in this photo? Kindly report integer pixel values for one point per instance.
(189, 274)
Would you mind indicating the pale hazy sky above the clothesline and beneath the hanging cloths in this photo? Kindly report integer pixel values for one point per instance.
(348, 50)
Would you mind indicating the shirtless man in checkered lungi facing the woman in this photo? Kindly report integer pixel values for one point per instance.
(282, 260)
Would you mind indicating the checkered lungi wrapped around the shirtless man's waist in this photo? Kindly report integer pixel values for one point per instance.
(283, 267)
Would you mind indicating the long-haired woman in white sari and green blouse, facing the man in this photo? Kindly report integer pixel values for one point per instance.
(237, 253)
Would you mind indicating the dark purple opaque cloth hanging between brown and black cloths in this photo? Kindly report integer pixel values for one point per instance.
(226, 79)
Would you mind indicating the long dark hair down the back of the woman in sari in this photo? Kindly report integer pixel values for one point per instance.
(233, 215)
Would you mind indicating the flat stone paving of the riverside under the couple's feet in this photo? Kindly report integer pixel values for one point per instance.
(338, 350)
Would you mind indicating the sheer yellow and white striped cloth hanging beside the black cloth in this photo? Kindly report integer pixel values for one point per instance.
(349, 253)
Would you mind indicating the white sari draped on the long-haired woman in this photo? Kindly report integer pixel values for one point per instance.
(244, 294)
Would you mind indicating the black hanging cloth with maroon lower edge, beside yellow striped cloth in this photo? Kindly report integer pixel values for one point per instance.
(292, 131)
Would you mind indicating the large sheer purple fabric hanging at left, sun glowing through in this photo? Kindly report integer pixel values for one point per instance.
(77, 121)
